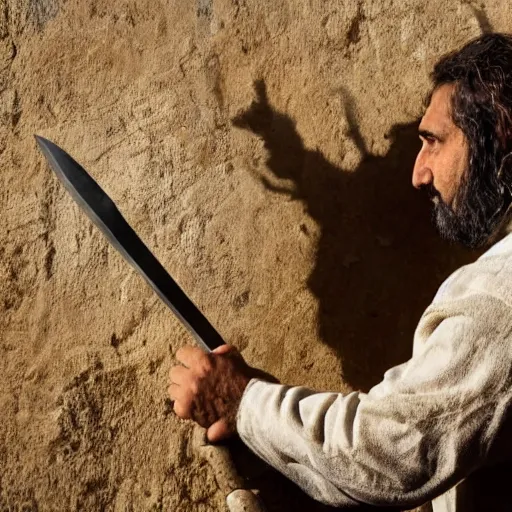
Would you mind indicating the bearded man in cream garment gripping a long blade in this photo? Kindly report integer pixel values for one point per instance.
(437, 428)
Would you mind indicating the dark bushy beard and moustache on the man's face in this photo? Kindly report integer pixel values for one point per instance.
(475, 217)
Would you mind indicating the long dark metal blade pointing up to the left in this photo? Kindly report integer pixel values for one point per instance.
(103, 212)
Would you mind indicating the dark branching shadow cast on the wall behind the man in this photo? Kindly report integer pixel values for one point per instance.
(379, 261)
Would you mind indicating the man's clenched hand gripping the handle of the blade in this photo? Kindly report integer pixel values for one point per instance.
(208, 388)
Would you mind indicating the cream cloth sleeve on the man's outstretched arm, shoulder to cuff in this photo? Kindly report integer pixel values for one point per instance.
(426, 426)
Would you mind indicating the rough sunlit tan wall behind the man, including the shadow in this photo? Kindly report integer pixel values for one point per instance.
(263, 151)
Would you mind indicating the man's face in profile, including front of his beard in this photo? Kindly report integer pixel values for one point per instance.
(442, 164)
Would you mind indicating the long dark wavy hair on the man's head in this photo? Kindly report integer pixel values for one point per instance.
(481, 73)
